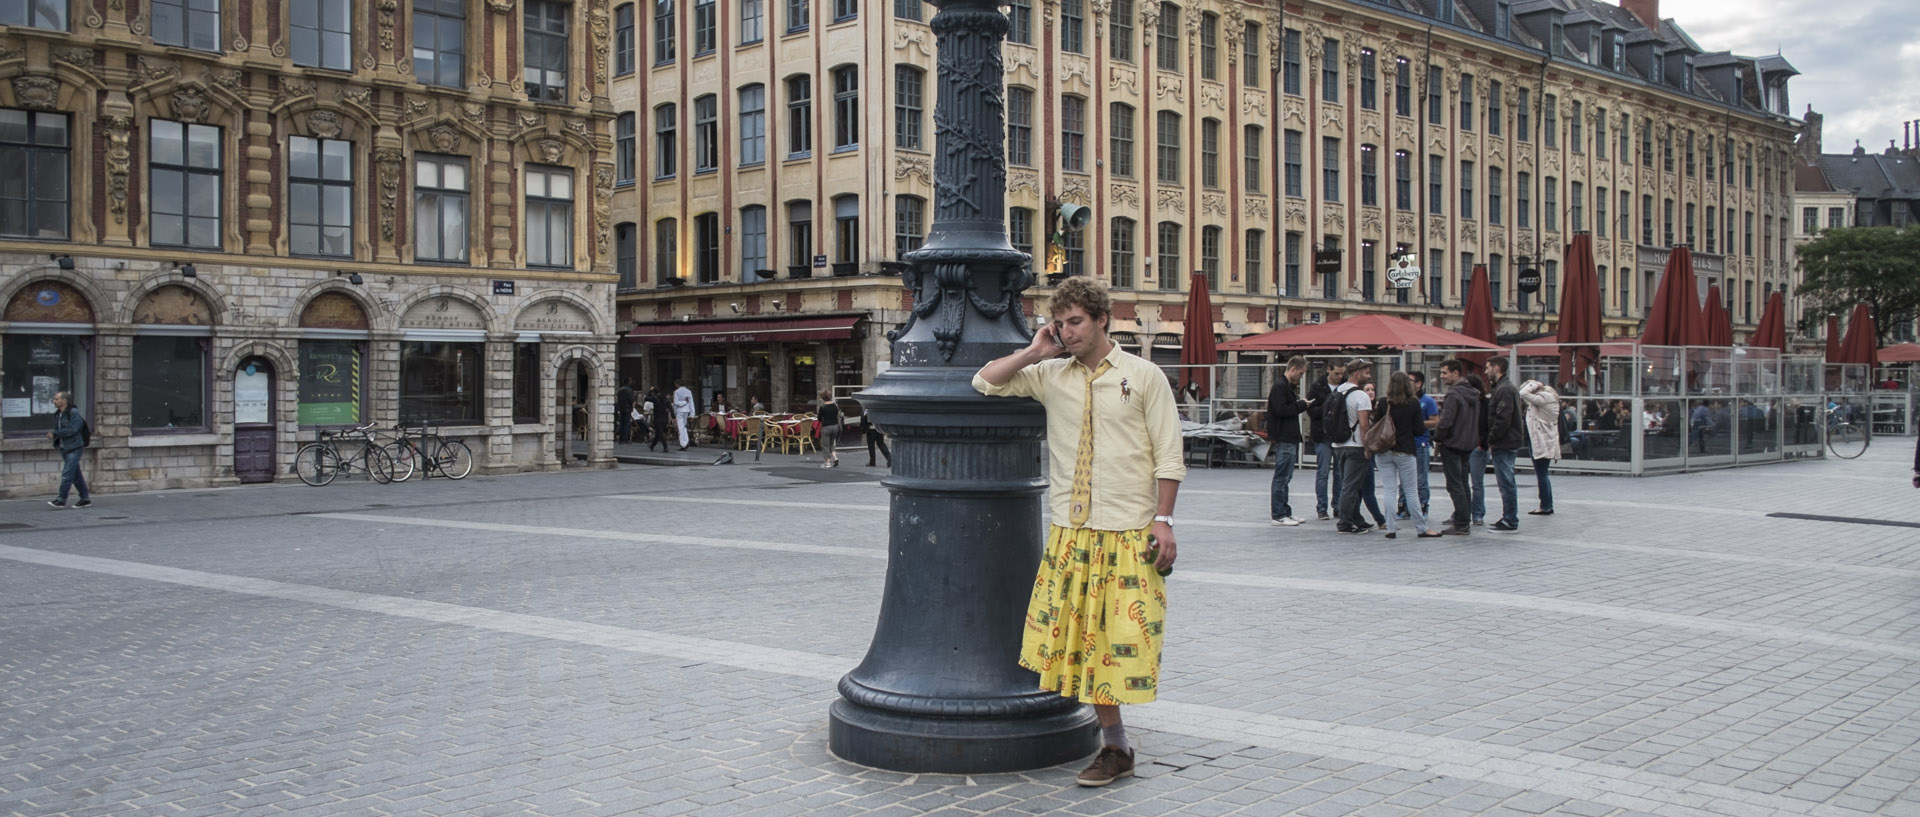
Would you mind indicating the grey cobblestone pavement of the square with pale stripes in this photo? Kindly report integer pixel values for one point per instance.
(665, 642)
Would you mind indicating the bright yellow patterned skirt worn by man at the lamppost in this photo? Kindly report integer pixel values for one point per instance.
(1097, 617)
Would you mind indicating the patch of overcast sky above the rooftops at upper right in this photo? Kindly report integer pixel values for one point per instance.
(1860, 60)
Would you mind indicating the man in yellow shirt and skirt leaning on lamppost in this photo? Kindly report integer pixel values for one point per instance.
(1099, 605)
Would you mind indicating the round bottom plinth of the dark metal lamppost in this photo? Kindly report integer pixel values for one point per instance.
(936, 745)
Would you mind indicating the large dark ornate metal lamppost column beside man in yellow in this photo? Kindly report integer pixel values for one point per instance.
(942, 689)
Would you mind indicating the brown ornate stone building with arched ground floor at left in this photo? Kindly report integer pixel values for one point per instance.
(228, 227)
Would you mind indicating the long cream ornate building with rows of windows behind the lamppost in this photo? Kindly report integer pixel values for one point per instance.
(1228, 139)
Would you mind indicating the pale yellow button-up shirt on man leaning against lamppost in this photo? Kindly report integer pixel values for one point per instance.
(1136, 434)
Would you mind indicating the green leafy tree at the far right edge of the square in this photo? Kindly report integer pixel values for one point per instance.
(1875, 266)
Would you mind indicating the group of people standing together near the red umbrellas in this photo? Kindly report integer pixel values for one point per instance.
(1481, 419)
